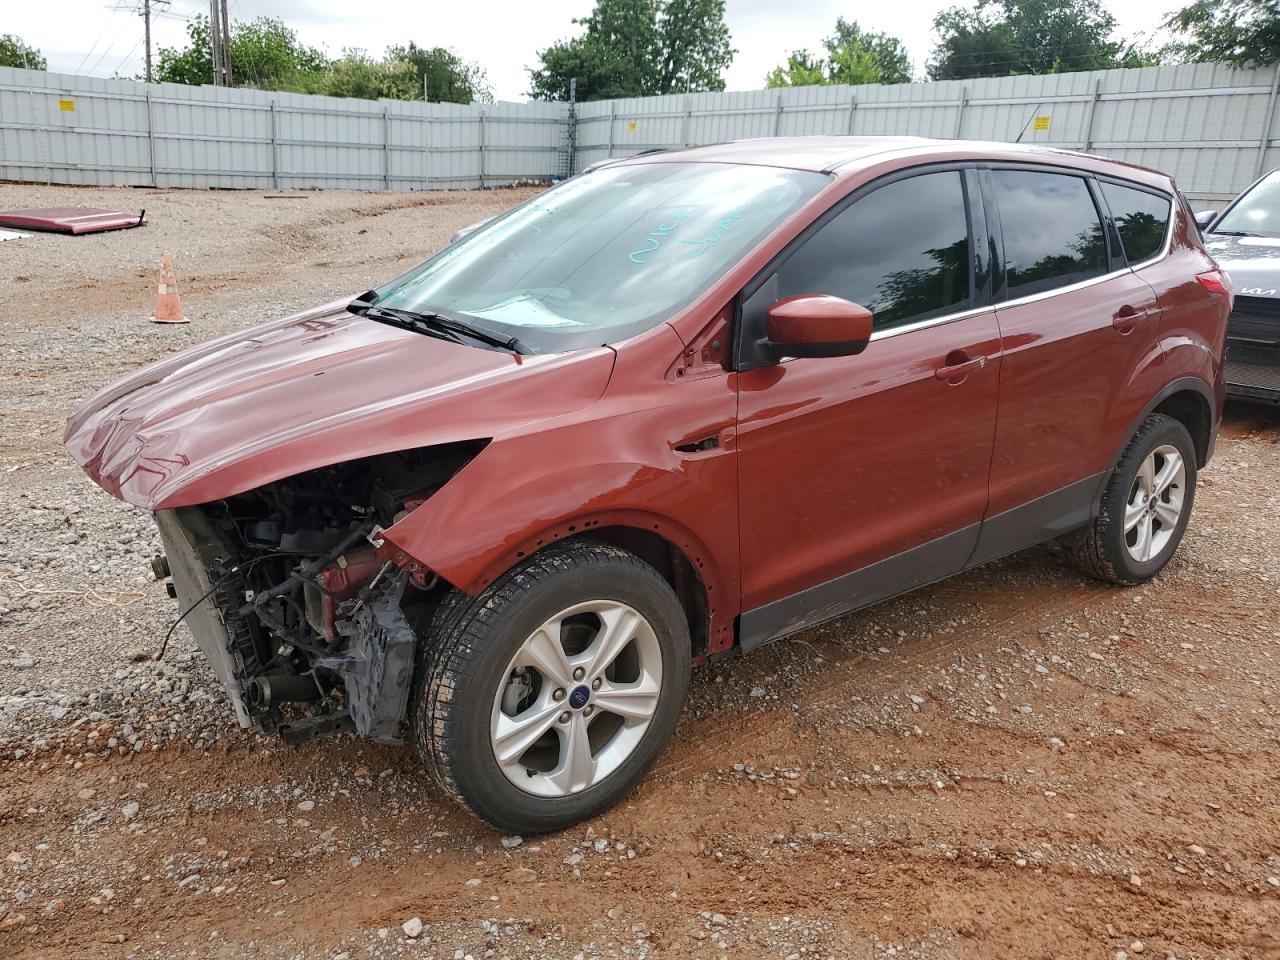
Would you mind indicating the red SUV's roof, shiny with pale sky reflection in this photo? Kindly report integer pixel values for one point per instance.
(849, 156)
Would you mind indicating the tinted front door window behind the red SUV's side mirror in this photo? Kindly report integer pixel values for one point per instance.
(902, 252)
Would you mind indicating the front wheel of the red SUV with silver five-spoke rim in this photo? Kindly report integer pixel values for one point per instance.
(490, 682)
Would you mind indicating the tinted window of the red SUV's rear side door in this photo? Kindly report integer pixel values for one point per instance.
(1053, 232)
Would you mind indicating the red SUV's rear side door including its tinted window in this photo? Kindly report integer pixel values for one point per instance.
(1081, 348)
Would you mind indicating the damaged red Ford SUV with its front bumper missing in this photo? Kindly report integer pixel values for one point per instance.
(678, 406)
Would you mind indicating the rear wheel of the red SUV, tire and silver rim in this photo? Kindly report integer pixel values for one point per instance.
(1105, 550)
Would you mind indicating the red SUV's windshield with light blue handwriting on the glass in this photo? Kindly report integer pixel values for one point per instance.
(606, 255)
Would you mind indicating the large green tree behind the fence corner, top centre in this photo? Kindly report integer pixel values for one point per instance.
(639, 48)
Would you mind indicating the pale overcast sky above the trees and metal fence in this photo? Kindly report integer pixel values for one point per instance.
(104, 38)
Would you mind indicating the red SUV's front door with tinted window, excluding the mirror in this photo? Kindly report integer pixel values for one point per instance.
(865, 477)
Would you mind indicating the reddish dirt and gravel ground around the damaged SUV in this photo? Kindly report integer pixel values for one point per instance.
(1017, 764)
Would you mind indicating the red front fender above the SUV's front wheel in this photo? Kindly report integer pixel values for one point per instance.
(616, 465)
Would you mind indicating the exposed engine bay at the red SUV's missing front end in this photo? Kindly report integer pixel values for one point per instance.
(285, 591)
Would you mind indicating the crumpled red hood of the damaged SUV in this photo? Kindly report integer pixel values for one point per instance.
(305, 392)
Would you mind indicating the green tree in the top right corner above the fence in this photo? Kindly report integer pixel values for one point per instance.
(1245, 33)
